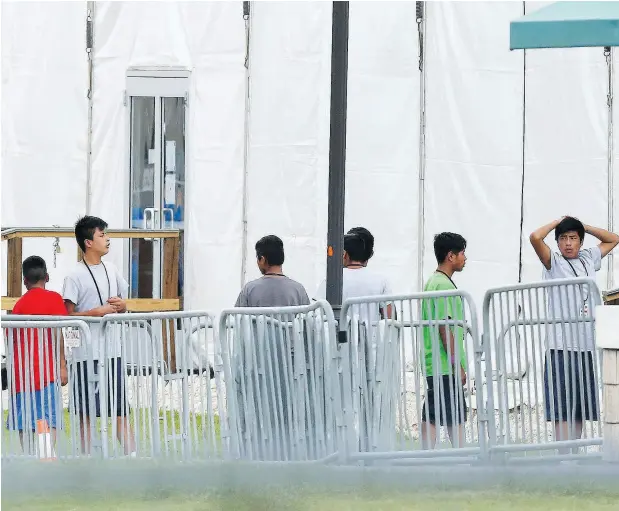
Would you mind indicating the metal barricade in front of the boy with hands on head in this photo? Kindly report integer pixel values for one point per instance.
(543, 371)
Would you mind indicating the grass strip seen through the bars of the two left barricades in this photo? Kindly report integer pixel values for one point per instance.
(169, 422)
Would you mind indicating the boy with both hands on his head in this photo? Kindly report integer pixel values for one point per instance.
(569, 362)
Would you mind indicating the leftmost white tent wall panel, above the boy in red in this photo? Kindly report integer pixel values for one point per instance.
(44, 123)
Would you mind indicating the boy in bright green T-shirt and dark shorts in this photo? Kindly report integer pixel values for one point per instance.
(444, 361)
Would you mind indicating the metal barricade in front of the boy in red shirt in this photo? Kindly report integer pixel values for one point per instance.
(42, 391)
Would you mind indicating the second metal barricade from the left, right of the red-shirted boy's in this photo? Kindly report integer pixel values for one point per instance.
(159, 373)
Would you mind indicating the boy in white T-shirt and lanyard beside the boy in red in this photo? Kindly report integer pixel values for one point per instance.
(95, 288)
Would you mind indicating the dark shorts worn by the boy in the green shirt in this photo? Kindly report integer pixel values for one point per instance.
(452, 405)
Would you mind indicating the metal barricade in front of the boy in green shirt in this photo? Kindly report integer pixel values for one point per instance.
(402, 384)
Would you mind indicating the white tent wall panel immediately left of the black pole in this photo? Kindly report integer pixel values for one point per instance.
(289, 134)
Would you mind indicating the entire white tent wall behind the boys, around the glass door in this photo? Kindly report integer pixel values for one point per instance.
(500, 127)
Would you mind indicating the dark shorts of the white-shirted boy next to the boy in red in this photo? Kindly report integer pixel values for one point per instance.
(116, 389)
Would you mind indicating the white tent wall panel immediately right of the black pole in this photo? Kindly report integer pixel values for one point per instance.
(383, 135)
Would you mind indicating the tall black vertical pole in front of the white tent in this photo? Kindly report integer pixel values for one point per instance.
(337, 154)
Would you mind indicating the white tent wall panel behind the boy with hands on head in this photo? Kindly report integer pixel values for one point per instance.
(565, 149)
